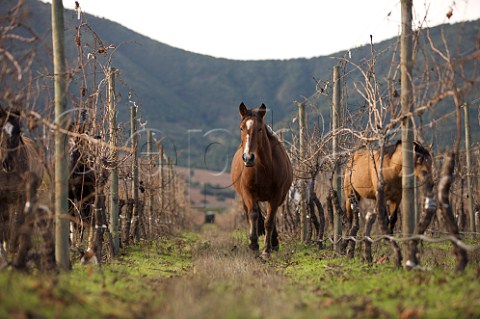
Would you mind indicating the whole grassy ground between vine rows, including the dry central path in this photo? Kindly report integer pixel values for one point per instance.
(212, 274)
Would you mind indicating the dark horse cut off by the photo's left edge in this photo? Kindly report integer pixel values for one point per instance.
(21, 166)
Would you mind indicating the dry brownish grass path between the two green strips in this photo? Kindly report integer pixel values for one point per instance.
(227, 281)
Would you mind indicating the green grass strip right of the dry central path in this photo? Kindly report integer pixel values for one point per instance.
(349, 288)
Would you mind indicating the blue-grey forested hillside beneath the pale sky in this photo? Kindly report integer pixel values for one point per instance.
(178, 91)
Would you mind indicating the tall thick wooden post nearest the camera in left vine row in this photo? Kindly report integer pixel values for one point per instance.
(61, 161)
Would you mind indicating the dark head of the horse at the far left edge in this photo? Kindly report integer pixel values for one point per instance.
(9, 138)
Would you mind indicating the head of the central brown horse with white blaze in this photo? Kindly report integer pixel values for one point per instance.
(253, 132)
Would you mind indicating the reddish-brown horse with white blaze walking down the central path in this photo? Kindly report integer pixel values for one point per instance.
(261, 171)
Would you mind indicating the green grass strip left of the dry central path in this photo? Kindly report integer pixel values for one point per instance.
(123, 288)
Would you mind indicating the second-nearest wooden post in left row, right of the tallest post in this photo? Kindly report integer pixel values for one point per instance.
(113, 178)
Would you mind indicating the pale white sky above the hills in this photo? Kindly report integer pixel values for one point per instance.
(271, 29)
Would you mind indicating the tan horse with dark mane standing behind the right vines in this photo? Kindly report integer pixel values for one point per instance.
(361, 177)
